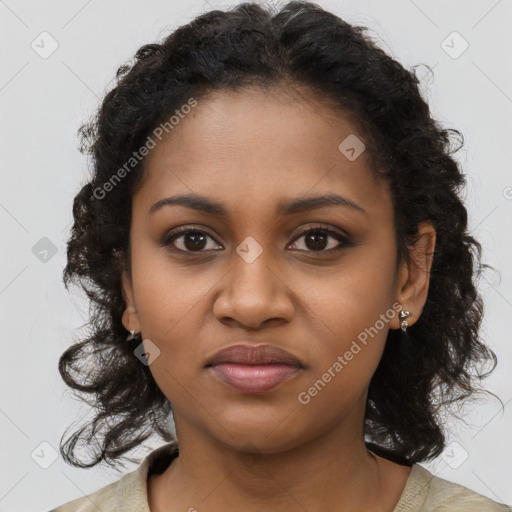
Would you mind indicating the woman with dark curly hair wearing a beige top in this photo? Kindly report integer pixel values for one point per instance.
(274, 217)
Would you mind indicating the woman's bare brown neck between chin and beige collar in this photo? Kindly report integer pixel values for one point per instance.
(331, 472)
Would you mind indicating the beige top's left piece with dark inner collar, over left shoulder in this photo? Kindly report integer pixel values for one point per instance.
(129, 492)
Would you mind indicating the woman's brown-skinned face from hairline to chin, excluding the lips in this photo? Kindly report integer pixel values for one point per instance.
(253, 274)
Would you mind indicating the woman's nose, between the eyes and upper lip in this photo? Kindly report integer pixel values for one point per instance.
(253, 292)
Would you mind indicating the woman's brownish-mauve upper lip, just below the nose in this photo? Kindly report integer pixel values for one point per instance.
(253, 354)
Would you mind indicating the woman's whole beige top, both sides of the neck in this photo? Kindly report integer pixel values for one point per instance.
(423, 491)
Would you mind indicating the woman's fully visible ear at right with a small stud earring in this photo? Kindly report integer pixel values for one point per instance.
(414, 278)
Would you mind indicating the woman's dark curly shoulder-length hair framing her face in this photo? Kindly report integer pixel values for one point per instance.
(442, 358)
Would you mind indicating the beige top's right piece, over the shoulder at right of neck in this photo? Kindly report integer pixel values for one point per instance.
(426, 492)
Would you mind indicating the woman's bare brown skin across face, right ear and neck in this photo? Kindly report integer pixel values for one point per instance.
(250, 149)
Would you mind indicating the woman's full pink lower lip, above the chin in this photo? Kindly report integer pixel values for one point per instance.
(254, 378)
